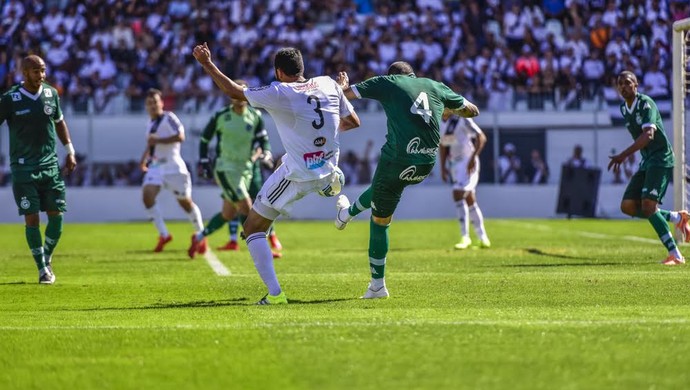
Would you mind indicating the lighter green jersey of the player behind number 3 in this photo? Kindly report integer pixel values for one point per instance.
(237, 135)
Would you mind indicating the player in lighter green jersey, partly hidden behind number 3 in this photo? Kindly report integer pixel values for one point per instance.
(241, 140)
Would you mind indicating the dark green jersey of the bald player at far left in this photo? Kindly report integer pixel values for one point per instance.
(31, 119)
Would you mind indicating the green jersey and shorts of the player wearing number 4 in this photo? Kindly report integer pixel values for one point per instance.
(414, 107)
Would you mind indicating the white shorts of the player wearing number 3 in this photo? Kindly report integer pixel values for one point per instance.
(278, 194)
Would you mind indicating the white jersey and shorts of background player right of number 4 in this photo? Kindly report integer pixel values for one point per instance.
(458, 134)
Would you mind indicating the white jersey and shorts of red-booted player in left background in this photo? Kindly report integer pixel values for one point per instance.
(166, 167)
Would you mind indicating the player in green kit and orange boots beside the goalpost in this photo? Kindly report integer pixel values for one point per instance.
(648, 185)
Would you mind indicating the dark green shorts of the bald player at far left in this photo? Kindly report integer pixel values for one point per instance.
(40, 190)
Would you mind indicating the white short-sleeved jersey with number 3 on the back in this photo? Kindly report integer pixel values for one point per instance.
(307, 116)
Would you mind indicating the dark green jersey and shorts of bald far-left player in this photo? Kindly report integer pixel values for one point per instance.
(36, 180)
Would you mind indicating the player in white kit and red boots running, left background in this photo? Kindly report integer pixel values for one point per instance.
(165, 168)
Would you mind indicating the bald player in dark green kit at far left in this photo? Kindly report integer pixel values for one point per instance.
(32, 111)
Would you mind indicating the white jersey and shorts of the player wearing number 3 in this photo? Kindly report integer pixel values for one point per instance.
(307, 116)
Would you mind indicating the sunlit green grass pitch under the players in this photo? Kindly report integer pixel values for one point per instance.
(554, 304)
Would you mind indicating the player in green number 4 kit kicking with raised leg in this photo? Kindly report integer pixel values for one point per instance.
(413, 107)
